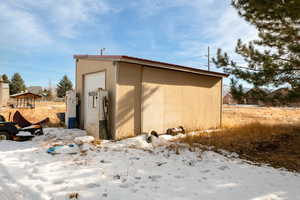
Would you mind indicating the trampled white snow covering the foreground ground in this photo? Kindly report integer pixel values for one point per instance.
(123, 170)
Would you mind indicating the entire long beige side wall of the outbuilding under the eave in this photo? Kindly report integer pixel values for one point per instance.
(156, 99)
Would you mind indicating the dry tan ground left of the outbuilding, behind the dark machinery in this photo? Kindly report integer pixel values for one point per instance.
(42, 110)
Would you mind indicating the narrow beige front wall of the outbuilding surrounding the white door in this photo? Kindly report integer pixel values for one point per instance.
(87, 66)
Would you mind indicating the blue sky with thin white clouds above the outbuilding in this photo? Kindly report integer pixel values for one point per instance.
(39, 38)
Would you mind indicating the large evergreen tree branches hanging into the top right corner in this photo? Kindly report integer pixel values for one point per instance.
(274, 58)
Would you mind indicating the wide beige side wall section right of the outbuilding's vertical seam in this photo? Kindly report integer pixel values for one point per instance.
(172, 98)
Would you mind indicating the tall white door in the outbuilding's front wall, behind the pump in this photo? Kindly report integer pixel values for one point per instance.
(92, 82)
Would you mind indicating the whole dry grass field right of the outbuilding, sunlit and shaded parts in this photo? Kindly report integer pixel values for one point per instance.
(262, 135)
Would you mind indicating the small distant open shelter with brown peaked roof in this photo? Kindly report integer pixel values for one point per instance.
(25, 99)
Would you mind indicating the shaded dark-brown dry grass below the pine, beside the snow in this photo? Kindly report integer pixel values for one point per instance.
(276, 145)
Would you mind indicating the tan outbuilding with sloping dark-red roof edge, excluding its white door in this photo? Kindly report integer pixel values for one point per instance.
(148, 95)
